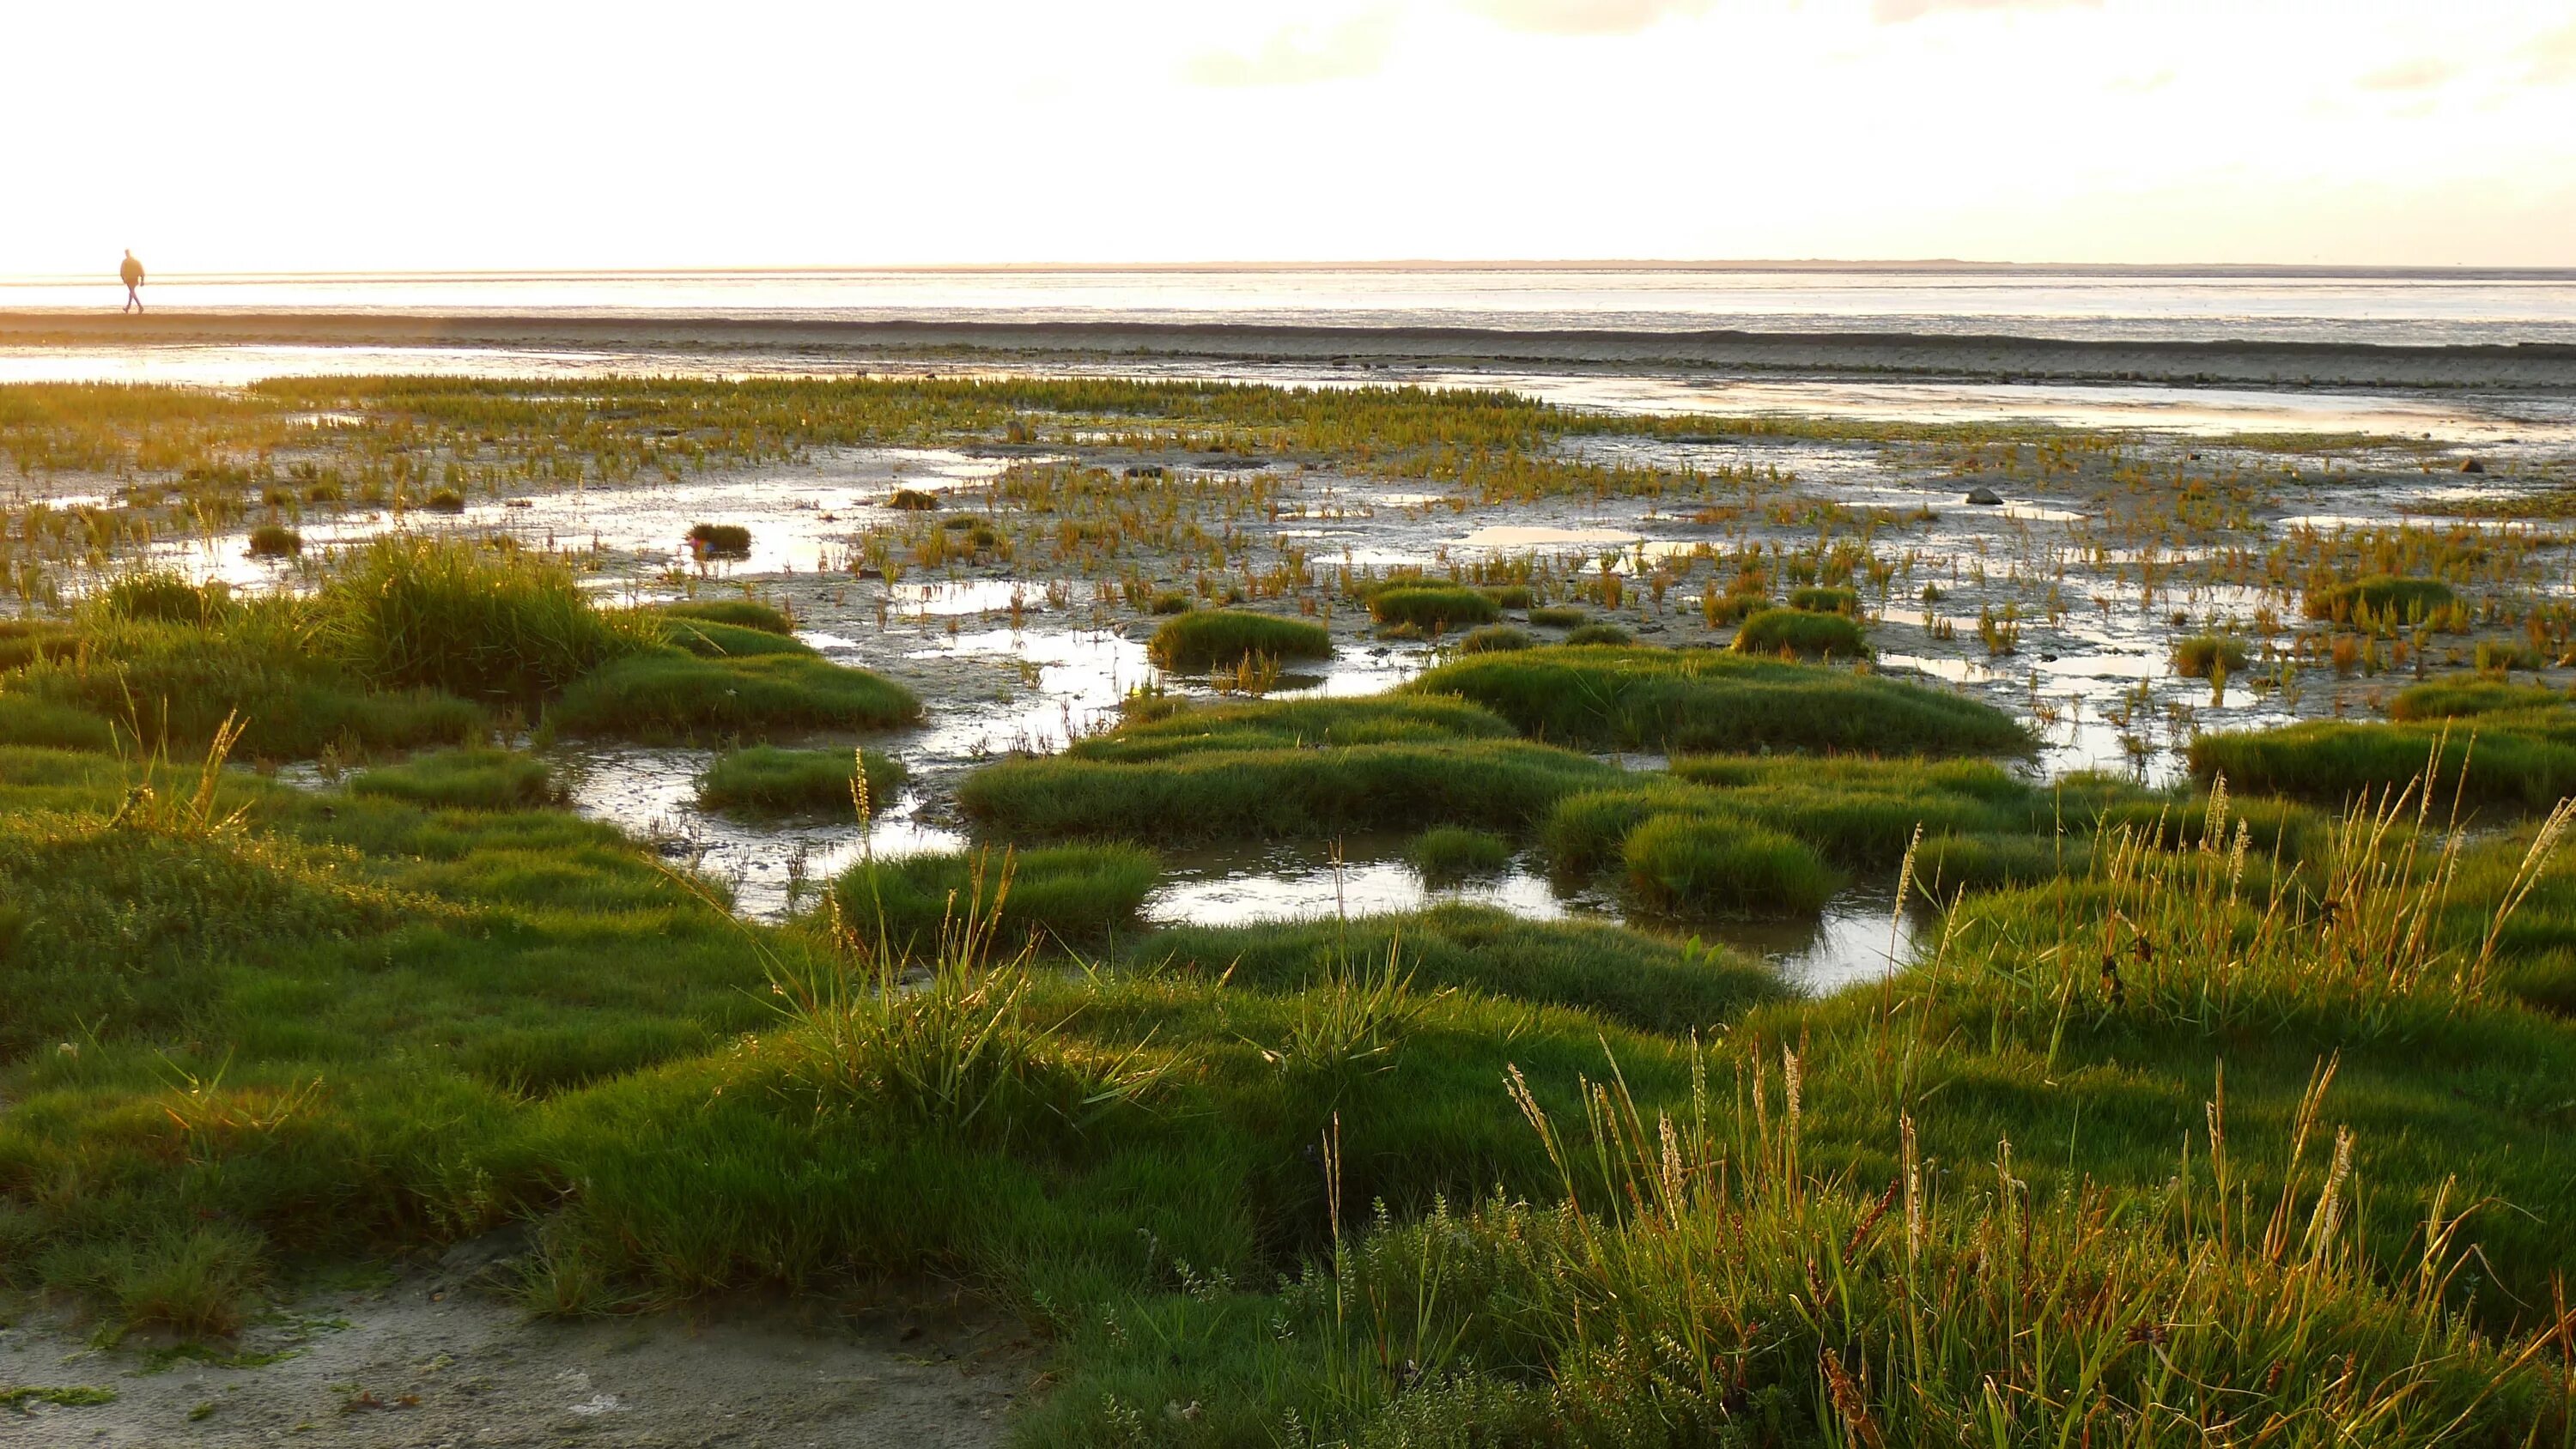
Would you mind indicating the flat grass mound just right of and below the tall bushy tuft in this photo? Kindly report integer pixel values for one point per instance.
(679, 696)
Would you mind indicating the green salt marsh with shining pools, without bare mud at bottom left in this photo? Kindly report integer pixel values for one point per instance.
(2031, 866)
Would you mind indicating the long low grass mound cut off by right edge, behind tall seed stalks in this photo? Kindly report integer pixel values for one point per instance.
(2515, 758)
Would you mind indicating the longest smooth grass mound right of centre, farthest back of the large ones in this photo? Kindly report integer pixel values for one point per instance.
(1712, 701)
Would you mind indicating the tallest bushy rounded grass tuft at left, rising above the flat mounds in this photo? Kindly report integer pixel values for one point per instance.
(416, 614)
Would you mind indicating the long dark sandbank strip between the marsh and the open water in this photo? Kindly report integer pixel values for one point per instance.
(2518, 367)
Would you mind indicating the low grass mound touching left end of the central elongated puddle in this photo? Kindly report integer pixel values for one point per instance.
(1070, 894)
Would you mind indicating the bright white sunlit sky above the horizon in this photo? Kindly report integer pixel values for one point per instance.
(300, 135)
